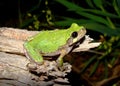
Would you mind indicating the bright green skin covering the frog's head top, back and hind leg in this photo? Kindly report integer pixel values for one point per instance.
(48, 41)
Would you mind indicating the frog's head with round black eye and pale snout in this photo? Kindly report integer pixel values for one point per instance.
(77, 33)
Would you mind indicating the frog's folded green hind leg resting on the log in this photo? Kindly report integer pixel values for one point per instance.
(33, 54)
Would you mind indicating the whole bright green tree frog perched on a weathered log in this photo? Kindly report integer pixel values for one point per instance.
(54, 42)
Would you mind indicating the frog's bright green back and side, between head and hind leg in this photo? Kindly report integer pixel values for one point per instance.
(50, 41)
